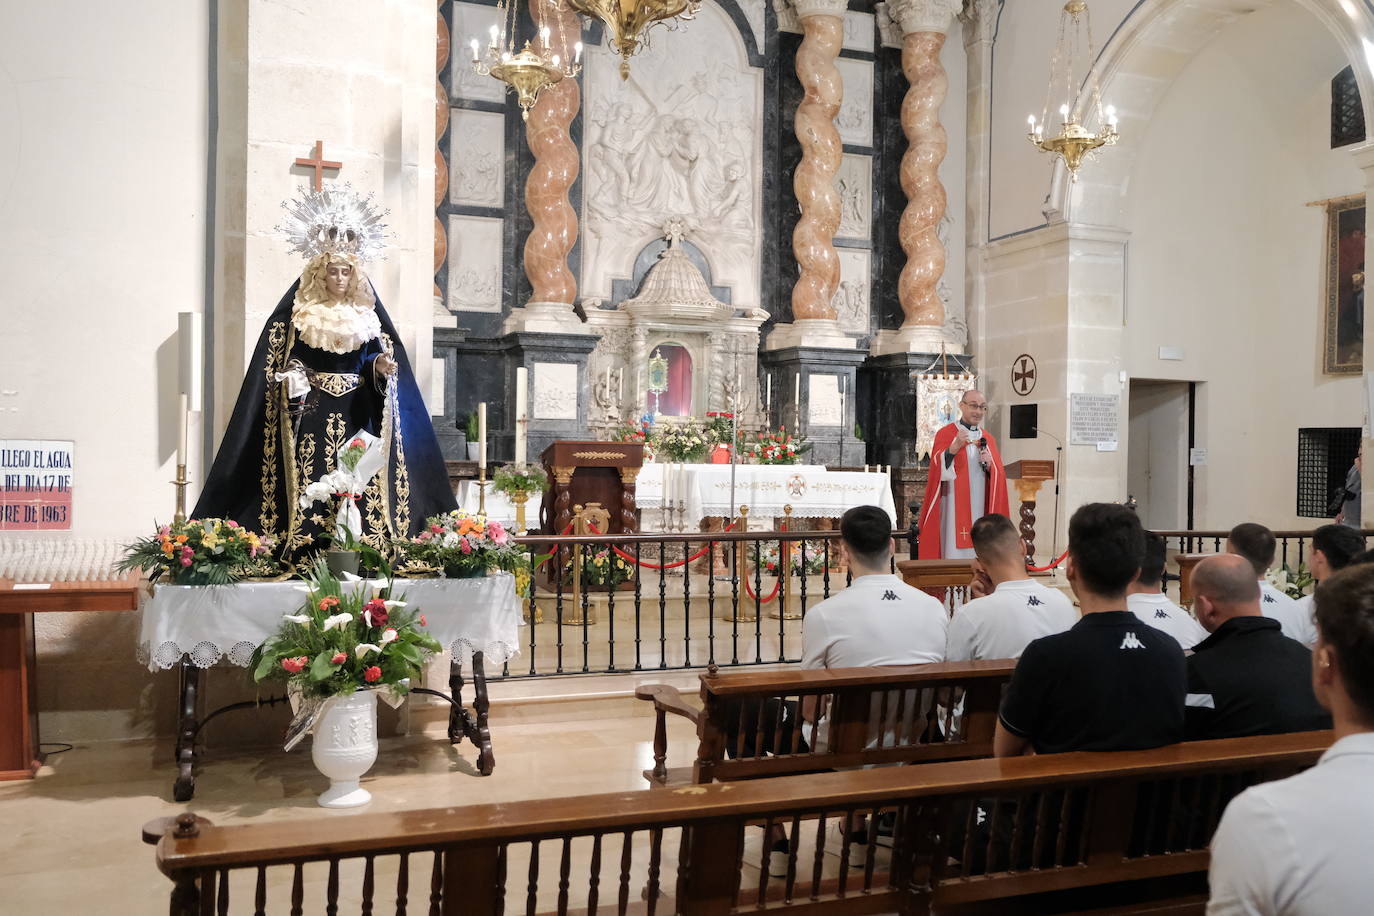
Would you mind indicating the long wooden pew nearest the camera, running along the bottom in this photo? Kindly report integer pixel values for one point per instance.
(693, 852)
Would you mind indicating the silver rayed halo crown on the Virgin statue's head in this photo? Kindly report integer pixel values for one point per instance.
(335, 220)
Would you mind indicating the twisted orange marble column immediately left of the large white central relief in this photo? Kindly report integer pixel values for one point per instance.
(556, 170)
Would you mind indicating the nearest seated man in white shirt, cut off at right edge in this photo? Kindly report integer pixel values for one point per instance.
(1302, 845)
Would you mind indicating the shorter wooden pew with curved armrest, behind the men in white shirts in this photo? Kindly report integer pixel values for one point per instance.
(750, 707)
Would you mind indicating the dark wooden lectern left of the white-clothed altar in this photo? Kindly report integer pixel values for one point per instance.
(587, 473)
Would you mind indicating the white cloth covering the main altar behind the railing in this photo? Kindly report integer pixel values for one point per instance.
(811, 490)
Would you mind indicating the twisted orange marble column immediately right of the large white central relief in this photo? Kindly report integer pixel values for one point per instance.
(813, 241)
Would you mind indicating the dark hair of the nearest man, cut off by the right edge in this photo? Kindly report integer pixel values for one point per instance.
(1346, 621)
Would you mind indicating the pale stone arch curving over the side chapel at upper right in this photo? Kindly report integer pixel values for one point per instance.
(1142, 58)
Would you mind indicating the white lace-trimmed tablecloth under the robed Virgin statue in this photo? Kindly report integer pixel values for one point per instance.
(211, 623)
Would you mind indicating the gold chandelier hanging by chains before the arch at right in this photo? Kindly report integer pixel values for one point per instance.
(1081, 100)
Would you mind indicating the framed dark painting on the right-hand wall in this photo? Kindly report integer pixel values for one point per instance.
(1344, 340)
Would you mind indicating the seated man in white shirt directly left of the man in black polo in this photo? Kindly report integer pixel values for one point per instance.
(1016, 612)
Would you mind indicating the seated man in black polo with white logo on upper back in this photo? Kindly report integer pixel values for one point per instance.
(1111, 683)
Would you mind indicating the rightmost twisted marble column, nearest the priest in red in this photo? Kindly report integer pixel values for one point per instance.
(924, 24)
